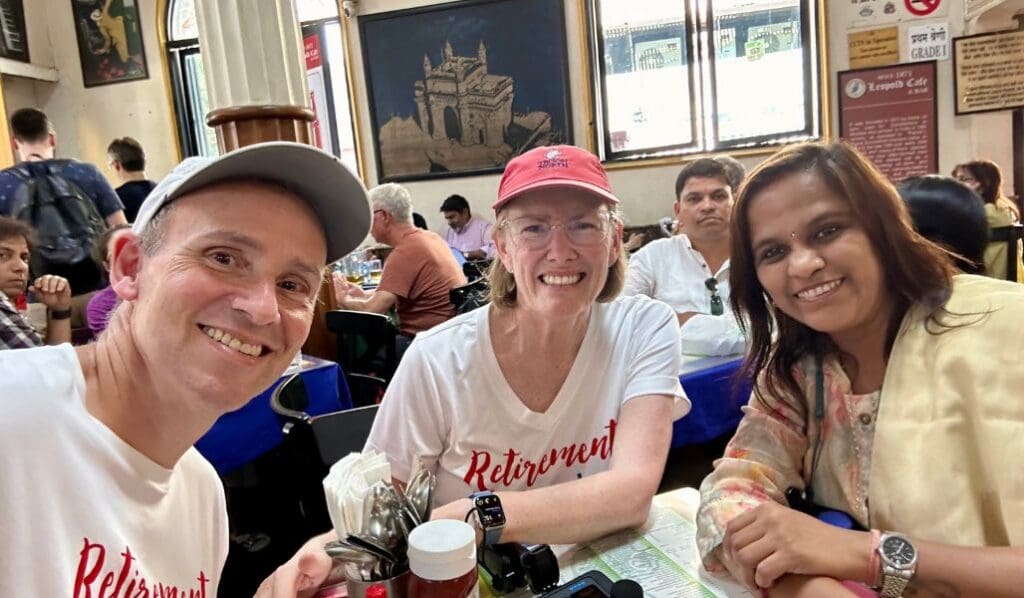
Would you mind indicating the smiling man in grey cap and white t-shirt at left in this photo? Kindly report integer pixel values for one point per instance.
(101, 491)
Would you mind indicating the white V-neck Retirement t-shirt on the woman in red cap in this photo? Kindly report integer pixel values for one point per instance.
(450, 405)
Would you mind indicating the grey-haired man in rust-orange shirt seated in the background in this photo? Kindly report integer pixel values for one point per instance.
(418, 274)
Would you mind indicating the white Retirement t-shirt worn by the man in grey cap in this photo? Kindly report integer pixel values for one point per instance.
(82, 514)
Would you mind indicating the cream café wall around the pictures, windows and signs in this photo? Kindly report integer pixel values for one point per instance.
(88, 119)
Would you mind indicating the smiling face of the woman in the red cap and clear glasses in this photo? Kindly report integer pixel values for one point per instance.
(561, 277)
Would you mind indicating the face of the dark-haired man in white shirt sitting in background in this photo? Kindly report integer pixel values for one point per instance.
(705, 208)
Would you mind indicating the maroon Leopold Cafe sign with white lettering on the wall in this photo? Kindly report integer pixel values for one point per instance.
(889, 114)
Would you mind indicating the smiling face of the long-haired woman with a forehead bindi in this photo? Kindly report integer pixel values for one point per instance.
(816, 261)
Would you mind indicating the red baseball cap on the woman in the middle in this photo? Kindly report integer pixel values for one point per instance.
(554, 166)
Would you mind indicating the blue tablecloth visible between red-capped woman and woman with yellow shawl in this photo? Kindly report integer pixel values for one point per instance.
(716, 399)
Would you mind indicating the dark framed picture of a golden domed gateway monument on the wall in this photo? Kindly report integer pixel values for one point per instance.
(460, 89)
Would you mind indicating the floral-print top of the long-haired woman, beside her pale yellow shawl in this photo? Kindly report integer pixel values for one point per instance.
(774, 449)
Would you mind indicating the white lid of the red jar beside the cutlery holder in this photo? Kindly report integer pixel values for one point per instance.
(440, 550)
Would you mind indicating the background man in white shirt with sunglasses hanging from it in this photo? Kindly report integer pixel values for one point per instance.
(691, 271)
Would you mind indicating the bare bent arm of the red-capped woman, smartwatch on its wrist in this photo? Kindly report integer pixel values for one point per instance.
(598, 505)
